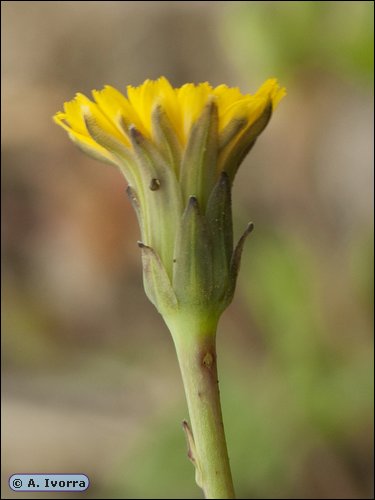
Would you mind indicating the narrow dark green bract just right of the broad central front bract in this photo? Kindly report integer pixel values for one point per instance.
(219, 221)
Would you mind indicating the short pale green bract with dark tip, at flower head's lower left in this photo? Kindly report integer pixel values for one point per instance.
(156, 282)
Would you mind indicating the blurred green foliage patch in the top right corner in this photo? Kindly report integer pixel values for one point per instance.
(290, 38)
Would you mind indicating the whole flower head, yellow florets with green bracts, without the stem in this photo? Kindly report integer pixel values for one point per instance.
(179, 149)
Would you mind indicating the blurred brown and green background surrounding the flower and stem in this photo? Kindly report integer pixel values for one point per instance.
(90, 378)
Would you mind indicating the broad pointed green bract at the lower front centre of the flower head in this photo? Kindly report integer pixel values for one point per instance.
(192, 269)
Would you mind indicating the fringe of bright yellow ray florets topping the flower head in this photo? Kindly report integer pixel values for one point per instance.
(114, 113)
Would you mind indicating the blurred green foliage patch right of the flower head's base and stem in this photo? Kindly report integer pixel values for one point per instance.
(285, 300)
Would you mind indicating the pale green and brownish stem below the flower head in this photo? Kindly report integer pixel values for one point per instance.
(196, 354)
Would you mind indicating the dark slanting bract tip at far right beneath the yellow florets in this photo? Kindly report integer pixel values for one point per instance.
(232, 155)
